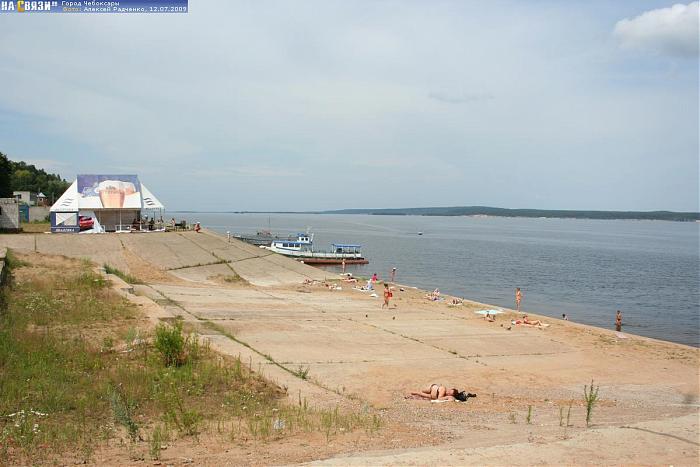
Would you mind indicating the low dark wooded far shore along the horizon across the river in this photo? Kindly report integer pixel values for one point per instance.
(485, 211)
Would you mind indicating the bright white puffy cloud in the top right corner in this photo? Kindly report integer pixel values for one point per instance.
(669, 31)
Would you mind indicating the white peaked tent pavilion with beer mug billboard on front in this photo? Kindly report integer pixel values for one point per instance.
(106, 203)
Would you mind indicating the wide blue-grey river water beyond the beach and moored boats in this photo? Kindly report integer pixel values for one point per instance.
(587, 269)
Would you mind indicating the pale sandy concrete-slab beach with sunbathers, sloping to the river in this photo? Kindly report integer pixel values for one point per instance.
(529, 380)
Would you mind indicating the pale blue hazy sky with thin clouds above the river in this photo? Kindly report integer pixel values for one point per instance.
(311, 105)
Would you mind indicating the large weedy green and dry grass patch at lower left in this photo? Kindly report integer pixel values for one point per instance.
(76, 374)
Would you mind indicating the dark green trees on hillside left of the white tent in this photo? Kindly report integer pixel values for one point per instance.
(20, 176)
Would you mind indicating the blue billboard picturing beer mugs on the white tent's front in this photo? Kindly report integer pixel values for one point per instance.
(109, 192)
